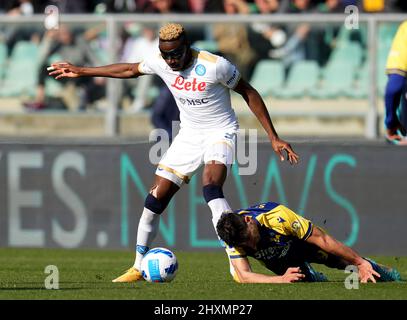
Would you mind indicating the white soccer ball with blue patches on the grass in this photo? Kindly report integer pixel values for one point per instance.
(159, 265)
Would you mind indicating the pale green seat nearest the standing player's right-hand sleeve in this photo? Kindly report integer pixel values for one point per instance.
(268, 77)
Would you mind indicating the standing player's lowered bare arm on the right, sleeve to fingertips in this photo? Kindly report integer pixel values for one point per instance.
(257, 106)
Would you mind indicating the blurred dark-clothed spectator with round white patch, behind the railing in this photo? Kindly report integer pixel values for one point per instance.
(266, 36)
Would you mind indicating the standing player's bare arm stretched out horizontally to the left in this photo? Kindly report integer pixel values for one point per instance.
(61, 70)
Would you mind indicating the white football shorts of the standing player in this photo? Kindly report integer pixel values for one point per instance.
(192, 148)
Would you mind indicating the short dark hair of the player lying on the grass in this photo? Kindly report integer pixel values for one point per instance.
(232, 229)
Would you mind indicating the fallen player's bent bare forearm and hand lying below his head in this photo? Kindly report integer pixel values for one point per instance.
(245, 274)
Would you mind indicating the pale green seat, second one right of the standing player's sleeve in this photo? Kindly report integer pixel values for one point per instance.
(303, 77)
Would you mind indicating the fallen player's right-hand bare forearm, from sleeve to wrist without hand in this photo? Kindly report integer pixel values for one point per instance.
(333, 246)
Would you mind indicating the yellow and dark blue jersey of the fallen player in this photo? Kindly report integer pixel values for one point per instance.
(279, 229)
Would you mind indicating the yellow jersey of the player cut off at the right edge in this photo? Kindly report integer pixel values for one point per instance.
(397, 59)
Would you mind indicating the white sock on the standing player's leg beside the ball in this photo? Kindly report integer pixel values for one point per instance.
(147, 230)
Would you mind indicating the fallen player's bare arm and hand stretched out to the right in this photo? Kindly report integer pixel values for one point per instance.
(333, 246)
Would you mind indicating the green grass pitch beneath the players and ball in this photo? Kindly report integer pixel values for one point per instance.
(87, 274)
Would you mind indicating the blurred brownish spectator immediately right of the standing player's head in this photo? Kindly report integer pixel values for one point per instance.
(232, 38)
